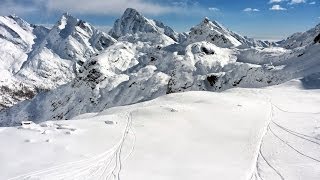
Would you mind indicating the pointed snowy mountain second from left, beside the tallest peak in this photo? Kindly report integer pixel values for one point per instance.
(66, 47)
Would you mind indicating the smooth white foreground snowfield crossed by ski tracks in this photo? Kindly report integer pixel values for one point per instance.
(270, 133)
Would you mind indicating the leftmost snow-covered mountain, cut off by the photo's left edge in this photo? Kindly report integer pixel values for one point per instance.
(17, 38)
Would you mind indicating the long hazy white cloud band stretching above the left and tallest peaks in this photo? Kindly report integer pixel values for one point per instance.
(100, 7)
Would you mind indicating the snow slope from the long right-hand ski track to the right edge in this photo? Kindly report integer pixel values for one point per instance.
(290, 147)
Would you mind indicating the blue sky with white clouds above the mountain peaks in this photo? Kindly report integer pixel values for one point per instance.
(262, 19)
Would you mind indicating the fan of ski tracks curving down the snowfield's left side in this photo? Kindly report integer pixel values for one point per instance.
(107, 165)
